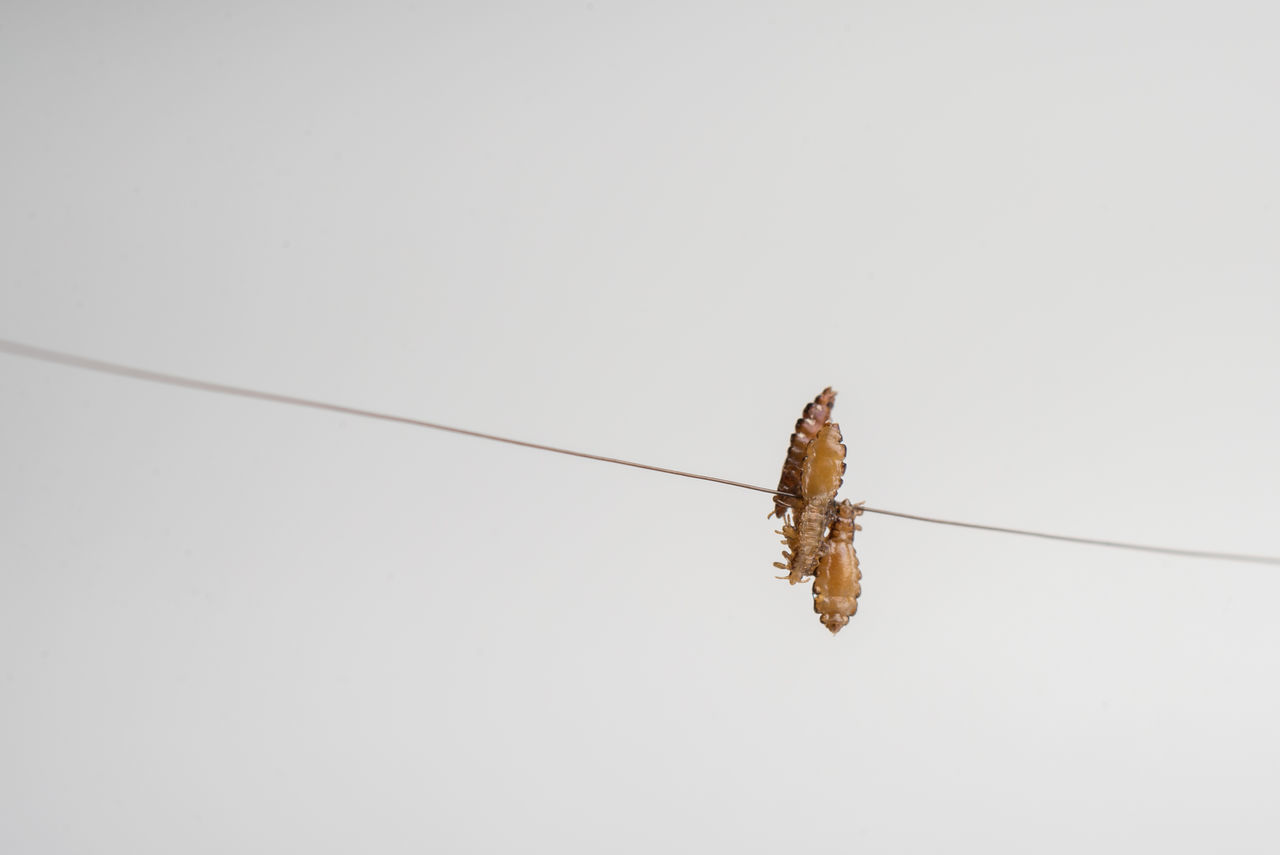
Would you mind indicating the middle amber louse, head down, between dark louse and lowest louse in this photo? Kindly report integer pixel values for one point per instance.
(821, 477)
